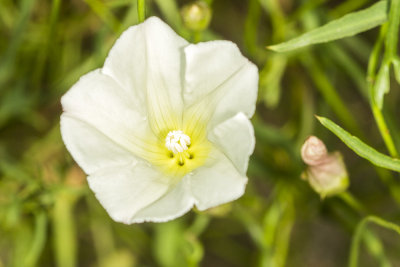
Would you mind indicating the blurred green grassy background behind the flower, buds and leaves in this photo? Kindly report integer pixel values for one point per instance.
(49, 217)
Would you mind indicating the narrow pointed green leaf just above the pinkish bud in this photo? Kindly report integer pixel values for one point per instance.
(360, 148)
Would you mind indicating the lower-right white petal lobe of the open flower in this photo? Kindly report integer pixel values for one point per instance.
(217, 183)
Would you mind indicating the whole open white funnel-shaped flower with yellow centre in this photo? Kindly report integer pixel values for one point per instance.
(163, 125)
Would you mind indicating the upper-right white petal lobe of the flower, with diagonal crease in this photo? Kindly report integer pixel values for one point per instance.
(219, 76)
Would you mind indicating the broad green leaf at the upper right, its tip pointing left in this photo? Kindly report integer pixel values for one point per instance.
(348, 25)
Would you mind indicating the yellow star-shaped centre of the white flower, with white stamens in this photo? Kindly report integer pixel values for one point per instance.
(178, 142)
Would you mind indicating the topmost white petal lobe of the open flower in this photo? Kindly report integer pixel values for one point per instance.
(147, 60)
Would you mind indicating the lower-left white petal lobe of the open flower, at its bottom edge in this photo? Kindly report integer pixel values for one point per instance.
(125, 190)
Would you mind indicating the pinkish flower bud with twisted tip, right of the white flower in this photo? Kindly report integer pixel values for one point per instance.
(326, 173)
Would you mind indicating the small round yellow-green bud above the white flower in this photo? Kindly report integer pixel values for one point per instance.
(196, 16)
